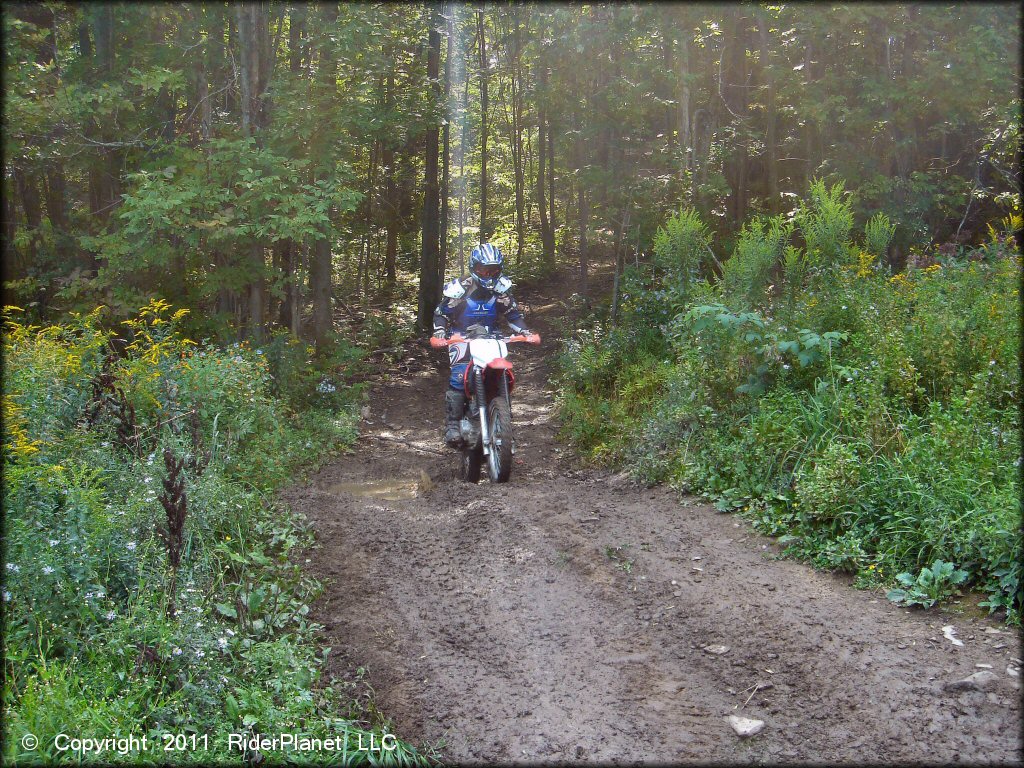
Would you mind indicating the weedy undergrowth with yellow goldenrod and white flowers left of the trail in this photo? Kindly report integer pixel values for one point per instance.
(152, 586)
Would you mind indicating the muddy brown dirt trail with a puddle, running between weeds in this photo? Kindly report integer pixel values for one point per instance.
(503, 623)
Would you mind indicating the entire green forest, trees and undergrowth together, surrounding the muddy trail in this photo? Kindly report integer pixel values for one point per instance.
(790, 235)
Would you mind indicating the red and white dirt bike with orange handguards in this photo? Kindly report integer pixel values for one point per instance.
(487, 432)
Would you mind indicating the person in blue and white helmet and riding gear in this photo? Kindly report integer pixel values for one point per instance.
(481, 300)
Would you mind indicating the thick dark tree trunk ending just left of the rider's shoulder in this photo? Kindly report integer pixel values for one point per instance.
(431, 279)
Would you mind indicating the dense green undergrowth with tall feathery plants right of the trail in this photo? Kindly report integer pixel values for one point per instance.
(869, 419)
